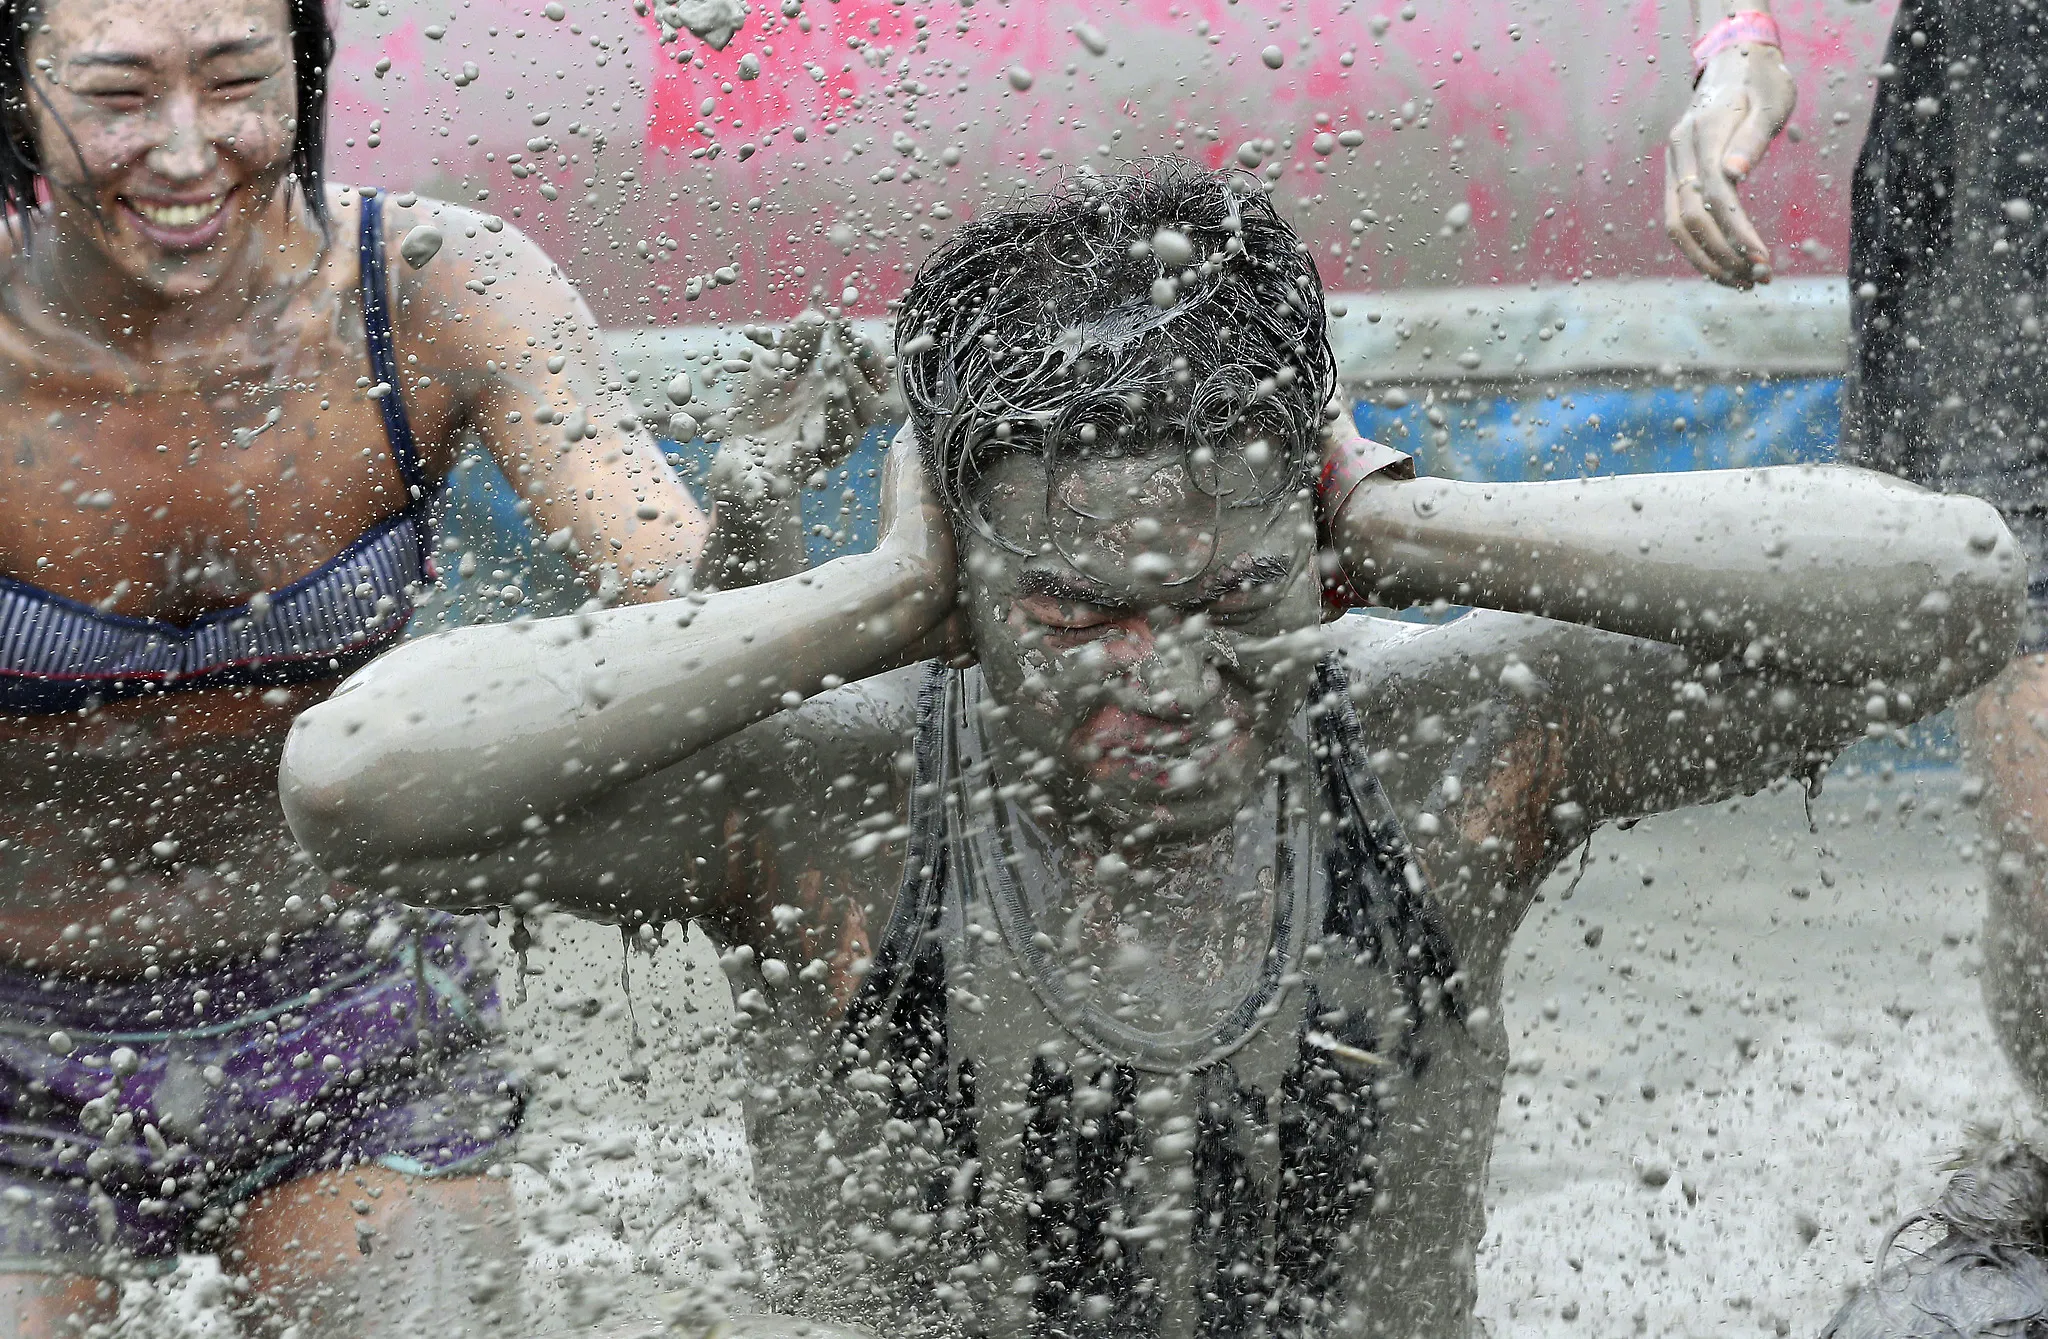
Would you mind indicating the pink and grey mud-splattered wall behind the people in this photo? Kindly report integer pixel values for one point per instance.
(1543, 118)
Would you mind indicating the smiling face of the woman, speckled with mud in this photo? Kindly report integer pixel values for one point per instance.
(173, 120)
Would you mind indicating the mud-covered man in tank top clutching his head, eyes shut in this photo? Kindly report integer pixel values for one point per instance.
(1144, 978)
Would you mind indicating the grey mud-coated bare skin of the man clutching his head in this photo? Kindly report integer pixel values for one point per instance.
(1500, 738)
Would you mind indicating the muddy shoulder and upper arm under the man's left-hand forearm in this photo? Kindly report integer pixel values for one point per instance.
(785, 838)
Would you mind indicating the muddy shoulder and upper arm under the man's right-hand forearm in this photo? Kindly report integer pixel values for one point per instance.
(1504, 740)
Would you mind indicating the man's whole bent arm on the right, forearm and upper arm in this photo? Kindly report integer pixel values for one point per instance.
(1701, 634)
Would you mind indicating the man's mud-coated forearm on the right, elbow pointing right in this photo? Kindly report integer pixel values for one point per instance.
(1826, 572)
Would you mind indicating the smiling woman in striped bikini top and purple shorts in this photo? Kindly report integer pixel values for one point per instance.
(230, 415)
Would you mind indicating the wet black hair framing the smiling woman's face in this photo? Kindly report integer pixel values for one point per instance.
(22, 159)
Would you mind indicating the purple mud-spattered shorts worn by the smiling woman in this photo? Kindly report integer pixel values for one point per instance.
(165, 1105)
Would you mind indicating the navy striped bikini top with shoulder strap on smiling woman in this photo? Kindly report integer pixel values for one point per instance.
(60, 656)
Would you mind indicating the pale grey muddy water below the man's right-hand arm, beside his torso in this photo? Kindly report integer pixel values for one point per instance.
(1752, 1076)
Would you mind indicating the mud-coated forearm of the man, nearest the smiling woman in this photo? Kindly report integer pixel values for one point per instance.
(452, 744)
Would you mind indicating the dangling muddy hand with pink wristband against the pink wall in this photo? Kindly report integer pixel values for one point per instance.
(1744, 95)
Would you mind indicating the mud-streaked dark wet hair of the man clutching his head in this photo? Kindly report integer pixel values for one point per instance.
(1058, 329)
